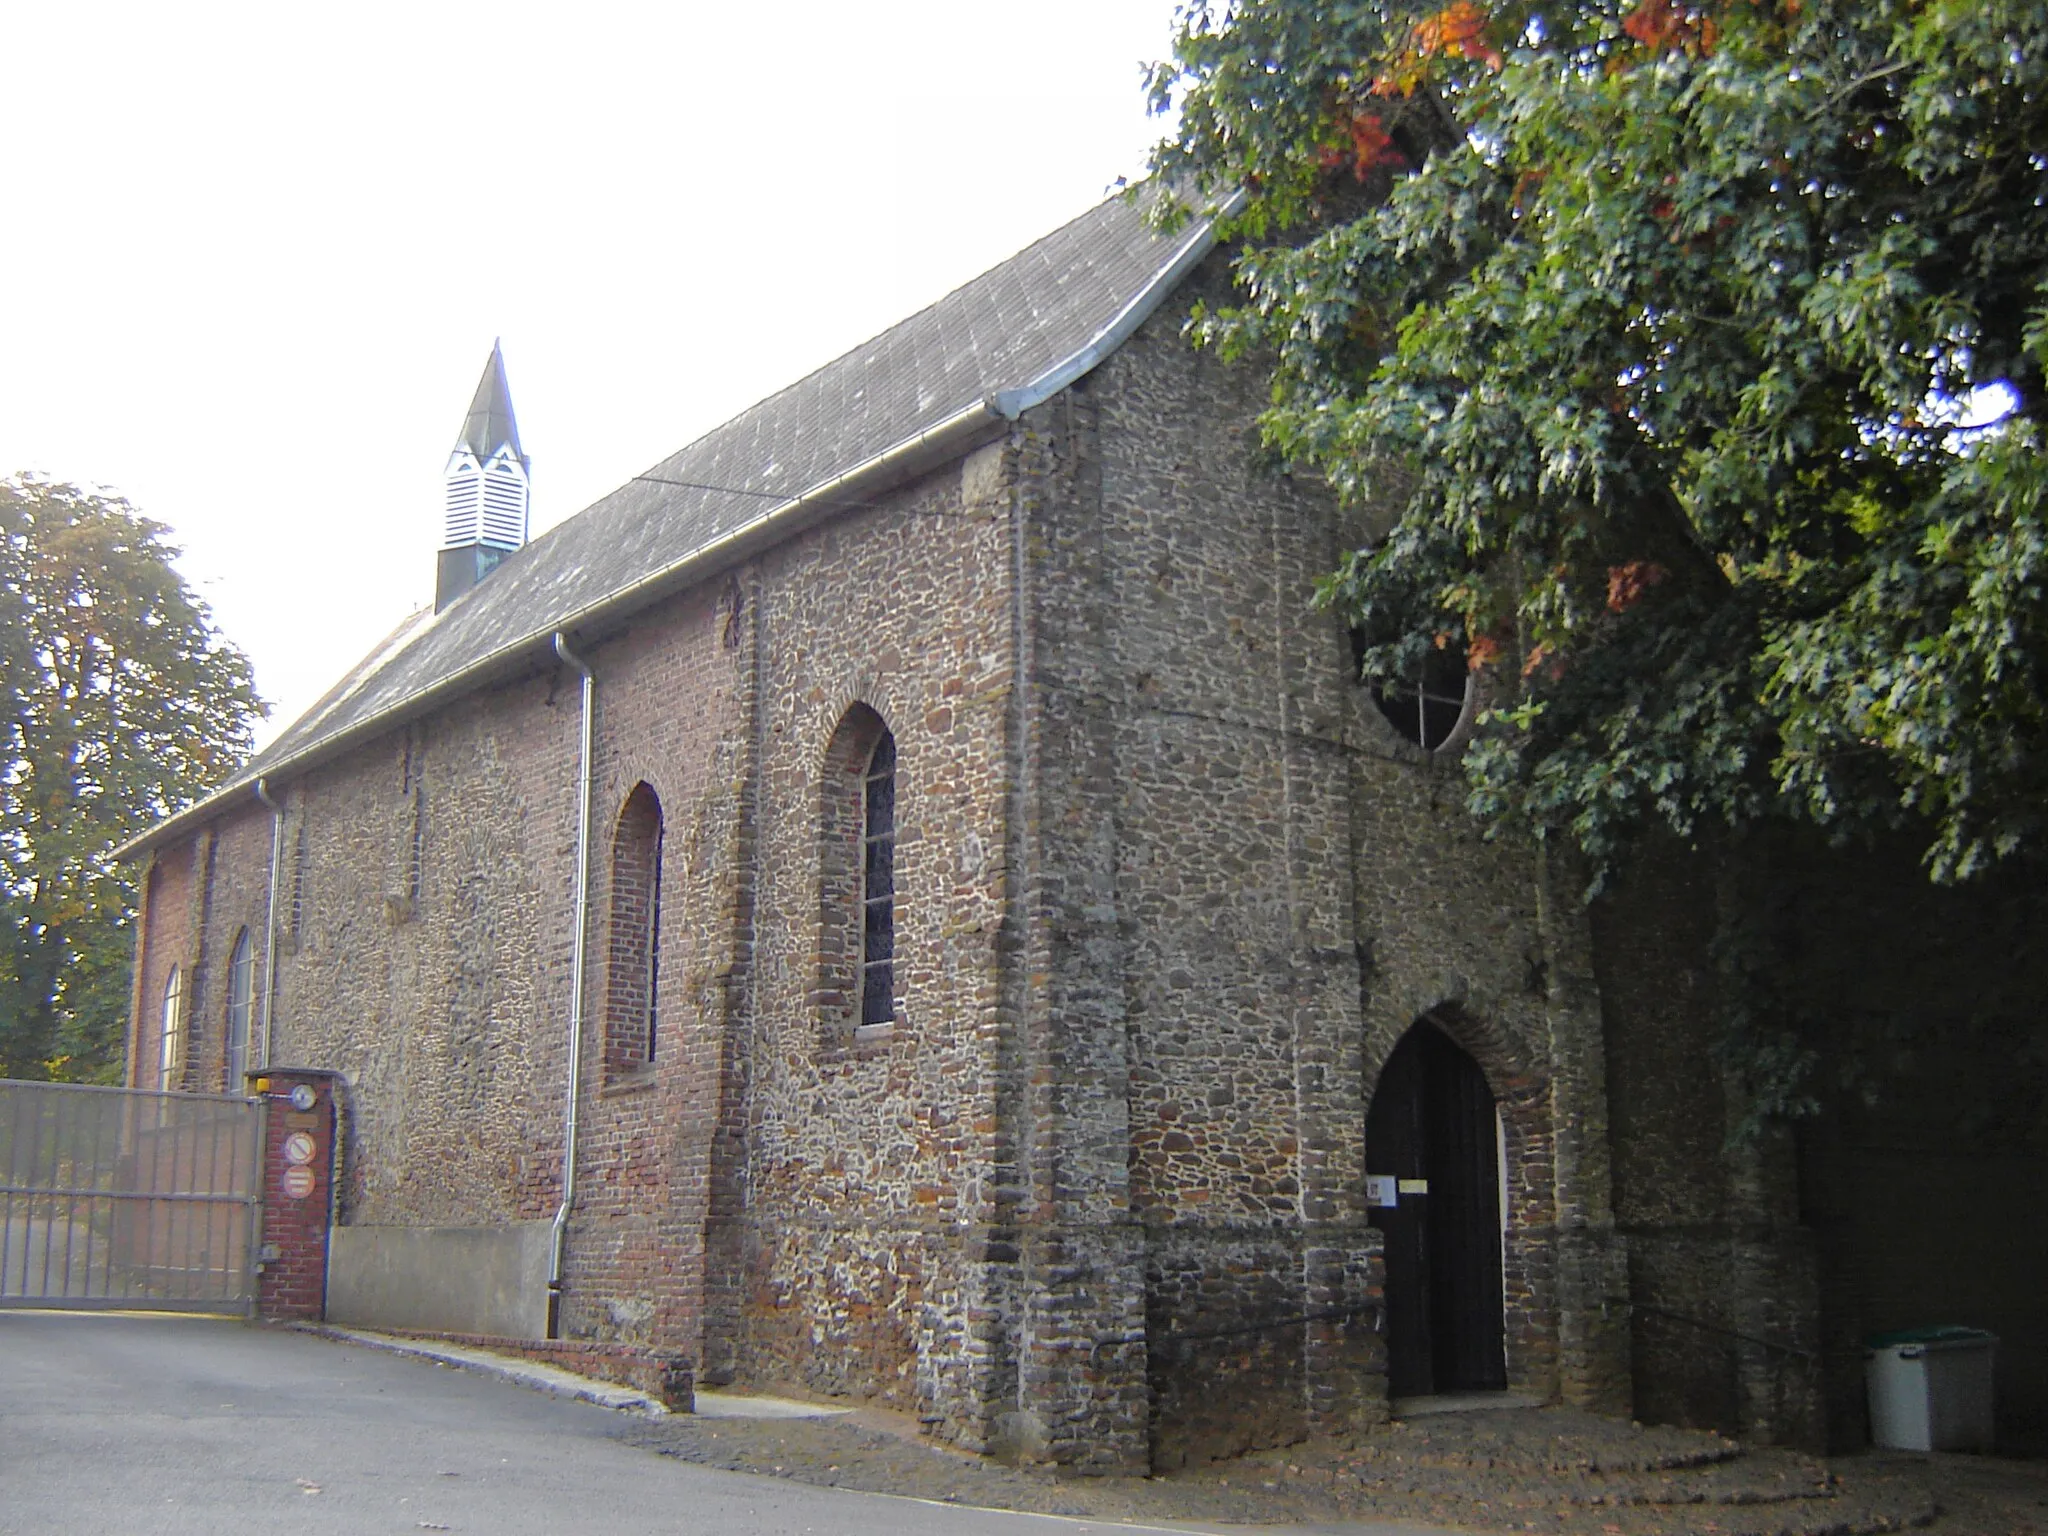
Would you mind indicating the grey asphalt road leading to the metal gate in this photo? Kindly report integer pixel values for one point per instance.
(116, 1424)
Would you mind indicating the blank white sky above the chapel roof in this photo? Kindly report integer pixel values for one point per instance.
(255, 257)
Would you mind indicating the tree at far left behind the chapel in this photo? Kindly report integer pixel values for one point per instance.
(122, 703)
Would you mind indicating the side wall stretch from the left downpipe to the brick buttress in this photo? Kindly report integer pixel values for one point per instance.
(427, 953)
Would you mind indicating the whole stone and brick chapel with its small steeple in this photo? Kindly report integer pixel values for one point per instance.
(908, 900)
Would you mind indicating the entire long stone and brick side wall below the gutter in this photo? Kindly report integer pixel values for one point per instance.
(425, 939)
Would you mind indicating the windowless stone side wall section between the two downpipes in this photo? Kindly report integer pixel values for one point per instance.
(423, 953)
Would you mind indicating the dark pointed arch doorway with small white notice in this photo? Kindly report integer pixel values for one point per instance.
(1435, 1160)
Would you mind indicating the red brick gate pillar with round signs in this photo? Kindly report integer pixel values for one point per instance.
(298, 1191)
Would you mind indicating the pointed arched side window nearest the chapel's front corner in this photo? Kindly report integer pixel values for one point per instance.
(857, 876)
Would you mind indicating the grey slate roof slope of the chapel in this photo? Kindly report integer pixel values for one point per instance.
(1005, 341)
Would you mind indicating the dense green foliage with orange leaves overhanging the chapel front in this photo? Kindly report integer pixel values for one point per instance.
(1652, 331)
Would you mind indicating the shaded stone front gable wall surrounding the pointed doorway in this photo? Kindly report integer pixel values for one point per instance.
(1263, 890)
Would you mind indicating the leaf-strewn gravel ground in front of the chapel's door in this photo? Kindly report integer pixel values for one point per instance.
(1535, 1469)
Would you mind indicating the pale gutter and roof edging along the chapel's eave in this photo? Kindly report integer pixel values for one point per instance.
(896, 464)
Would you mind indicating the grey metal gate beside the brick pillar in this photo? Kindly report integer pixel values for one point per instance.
(114, 1197)
